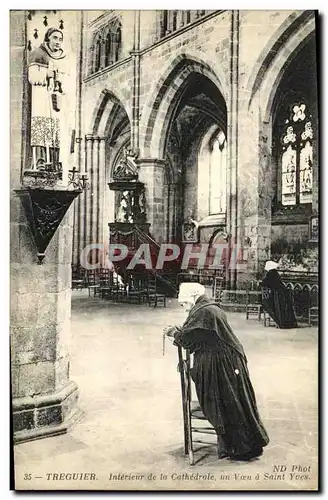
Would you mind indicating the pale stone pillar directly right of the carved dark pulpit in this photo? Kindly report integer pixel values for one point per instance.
(152, 173)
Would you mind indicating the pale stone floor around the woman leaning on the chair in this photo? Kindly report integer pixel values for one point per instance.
(130, 395)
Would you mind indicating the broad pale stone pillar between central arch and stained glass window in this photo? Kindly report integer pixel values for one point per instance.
(254, 192)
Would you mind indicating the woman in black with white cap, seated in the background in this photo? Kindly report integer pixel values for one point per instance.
(277, 298)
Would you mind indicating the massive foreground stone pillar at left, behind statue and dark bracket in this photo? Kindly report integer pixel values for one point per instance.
(44, 399)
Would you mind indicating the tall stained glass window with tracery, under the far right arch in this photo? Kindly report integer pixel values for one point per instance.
(297, 157)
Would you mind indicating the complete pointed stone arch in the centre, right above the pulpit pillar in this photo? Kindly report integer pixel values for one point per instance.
(165, 96)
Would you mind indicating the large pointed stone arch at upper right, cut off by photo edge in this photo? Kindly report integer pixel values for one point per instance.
(272, 63)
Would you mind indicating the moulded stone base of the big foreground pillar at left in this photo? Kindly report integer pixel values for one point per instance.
(45, 415)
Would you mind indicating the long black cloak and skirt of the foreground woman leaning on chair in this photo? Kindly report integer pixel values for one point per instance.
(221, 378)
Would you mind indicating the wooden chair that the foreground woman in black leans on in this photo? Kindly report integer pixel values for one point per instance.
(194, 421)
